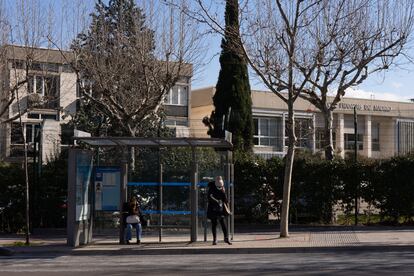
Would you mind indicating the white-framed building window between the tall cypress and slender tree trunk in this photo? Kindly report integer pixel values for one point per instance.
(268, 132)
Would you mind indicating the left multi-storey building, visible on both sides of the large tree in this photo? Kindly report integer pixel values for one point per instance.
(51, 96)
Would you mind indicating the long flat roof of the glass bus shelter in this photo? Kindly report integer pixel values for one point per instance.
(155, 142)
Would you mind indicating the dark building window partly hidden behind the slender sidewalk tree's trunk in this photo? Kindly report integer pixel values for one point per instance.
(303, 132)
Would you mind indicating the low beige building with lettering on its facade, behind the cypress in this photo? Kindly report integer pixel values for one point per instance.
(384, 128)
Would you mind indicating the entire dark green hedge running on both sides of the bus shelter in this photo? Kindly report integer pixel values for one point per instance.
(317, 187)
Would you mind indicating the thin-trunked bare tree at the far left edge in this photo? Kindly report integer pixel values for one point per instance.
(23, 29)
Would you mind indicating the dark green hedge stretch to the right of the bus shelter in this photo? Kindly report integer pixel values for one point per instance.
(318, 186)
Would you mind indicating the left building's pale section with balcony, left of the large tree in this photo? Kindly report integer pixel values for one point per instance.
(49, 97)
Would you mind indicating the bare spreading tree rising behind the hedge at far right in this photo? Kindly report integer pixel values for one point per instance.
(350, 40)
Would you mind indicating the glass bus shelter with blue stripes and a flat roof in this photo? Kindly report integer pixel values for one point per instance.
(173, 175)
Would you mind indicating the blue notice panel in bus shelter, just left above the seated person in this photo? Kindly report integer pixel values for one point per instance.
(107, 181)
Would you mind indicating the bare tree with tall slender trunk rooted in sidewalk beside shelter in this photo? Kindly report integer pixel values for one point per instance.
(272, 40)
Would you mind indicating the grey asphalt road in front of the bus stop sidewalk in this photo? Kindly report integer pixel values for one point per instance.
(332, 263)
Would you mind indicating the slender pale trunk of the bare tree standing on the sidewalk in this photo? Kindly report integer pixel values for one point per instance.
(287, 182)
